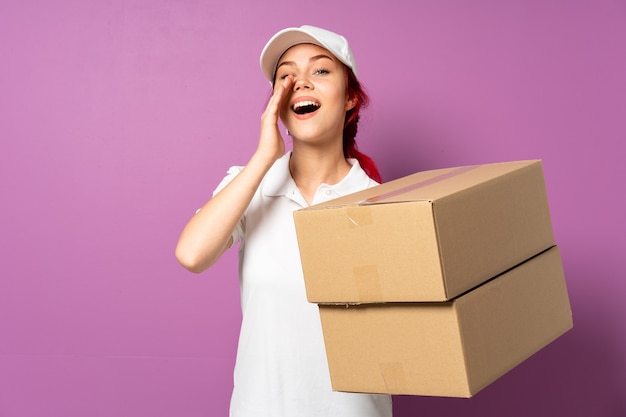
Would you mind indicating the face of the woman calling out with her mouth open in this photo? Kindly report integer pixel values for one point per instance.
(315, 108)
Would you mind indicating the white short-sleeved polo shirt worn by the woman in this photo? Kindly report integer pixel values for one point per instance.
(281, 368)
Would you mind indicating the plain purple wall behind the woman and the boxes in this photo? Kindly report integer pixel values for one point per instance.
(119, 117)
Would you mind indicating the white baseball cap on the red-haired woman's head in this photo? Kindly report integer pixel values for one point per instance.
(286, 38)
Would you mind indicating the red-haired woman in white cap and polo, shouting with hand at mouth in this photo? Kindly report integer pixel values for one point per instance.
(281, 367)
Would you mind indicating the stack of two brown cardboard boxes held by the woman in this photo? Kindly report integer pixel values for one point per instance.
(437, 283)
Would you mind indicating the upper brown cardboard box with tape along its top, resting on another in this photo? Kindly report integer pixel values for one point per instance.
(429, 236)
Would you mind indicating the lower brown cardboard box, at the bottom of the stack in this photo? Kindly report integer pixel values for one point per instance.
(453, 348)
